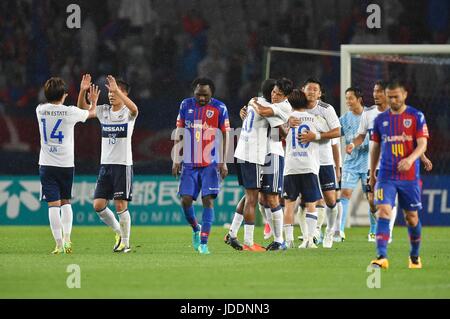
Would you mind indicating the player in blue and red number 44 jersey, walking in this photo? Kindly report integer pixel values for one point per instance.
(400, 134)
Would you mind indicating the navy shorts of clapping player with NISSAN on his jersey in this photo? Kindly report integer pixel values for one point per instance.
(115, 182)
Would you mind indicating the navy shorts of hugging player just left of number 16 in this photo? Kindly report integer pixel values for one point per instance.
(272, 175)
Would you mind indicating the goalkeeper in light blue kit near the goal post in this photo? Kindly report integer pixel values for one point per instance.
(355, 164)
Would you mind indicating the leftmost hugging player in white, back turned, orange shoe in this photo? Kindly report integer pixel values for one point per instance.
(252, 147)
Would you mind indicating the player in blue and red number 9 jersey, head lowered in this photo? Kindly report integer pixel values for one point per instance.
(203, 122)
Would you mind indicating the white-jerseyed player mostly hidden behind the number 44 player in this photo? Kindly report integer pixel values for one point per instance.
(366, 127)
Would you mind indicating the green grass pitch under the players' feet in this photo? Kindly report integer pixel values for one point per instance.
(163, 265)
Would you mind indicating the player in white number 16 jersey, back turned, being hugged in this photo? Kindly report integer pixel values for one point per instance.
(301, 171)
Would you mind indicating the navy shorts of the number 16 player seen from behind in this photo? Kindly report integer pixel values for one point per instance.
(306, 185)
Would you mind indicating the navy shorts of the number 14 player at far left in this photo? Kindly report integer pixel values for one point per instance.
(56, 182)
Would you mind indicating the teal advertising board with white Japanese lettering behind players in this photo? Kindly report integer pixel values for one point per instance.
(155, 201)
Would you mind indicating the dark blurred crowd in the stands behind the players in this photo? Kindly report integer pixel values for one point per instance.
(160, 46)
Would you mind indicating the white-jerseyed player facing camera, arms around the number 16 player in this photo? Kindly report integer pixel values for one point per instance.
(327, 173)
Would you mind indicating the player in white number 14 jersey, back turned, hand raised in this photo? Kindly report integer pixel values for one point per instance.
(56, 158)
